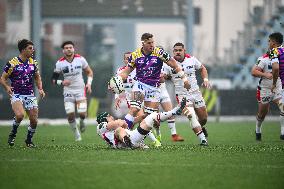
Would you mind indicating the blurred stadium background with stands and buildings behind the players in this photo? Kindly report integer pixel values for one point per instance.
(226, 35)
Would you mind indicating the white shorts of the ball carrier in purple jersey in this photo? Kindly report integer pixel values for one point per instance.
(151, 94)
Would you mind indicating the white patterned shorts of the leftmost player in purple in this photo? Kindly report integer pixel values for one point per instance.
(29, 101)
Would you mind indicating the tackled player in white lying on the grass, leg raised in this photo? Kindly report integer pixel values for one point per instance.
(116, 132)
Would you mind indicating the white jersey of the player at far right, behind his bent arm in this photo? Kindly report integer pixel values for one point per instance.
(264, 63)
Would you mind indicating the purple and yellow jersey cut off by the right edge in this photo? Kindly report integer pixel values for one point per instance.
(277, 55)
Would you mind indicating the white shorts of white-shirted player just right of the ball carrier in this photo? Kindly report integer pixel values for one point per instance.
(194, 99)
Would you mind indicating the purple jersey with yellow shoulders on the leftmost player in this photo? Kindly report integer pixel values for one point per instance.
(21, 75)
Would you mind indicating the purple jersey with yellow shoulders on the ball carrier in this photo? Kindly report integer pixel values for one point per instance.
(148, 67)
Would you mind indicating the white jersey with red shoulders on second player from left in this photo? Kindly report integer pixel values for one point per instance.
(72, 71)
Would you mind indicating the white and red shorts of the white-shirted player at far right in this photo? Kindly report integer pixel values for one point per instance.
(264, 95)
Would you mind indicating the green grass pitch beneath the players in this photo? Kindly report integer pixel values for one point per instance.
(233, 160)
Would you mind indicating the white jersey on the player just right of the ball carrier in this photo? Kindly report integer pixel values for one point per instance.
(189, 66)
